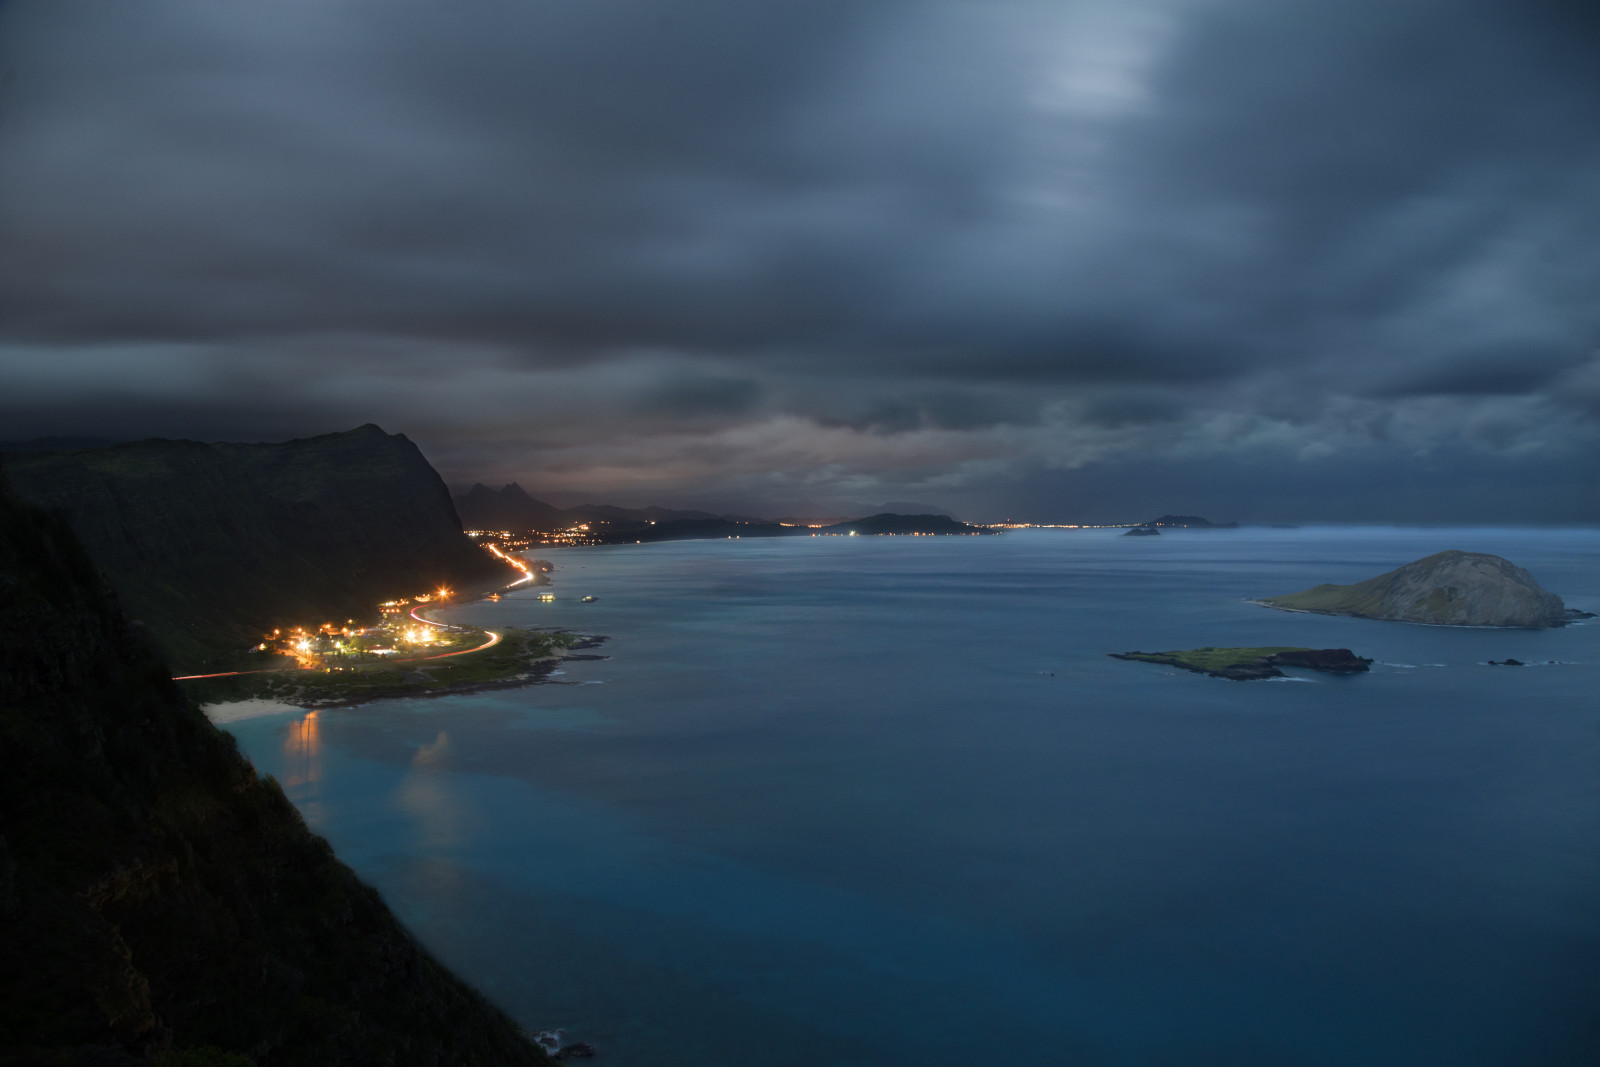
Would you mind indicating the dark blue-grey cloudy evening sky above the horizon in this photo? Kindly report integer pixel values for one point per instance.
(1049, 262)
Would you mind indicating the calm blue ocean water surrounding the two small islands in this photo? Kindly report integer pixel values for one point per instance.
(886, 801)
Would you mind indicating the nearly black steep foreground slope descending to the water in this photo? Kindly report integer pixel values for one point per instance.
(156, 895)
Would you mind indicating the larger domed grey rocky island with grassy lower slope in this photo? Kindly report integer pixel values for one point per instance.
(1444, 589)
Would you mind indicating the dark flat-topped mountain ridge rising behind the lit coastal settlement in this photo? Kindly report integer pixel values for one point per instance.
(212, 545)
